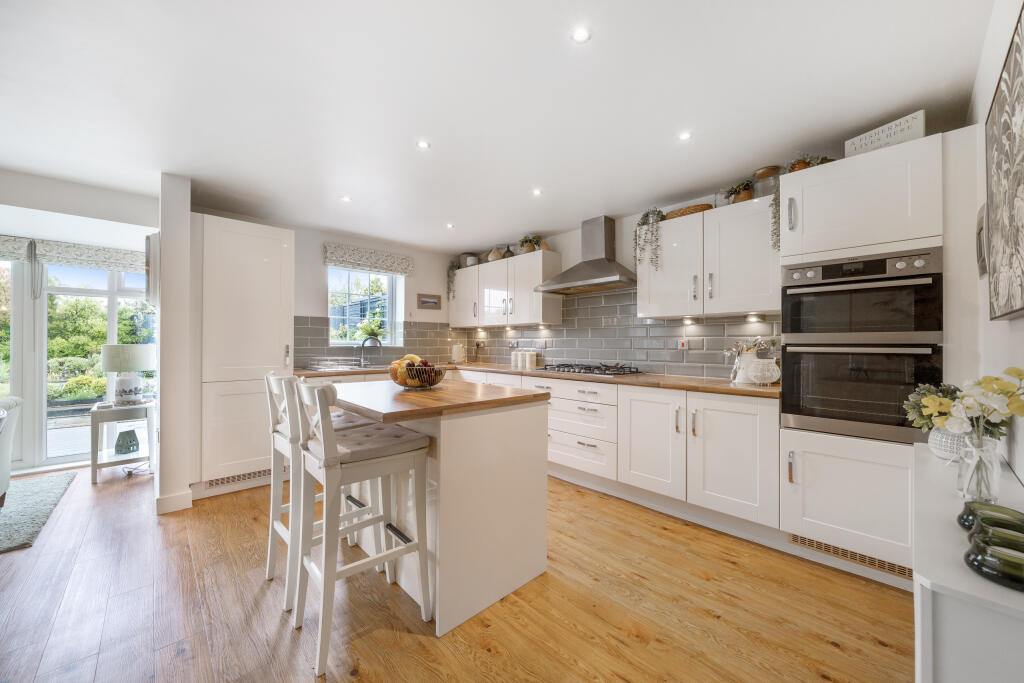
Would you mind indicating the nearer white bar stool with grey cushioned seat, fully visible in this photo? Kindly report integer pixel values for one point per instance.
(377, 454)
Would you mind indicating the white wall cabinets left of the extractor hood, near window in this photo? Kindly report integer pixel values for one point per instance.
(502, 292)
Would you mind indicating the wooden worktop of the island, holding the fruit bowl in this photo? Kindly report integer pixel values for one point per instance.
(387, 402)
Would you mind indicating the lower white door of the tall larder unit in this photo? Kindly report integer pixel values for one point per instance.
(236, 429)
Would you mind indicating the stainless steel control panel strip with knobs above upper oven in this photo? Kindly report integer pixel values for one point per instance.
(885, 266)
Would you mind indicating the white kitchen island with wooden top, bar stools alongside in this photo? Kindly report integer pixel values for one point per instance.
(487, 488)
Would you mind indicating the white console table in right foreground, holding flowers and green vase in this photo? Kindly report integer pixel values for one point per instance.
(966, 628)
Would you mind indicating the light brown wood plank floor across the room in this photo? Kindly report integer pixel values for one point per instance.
(111, 591)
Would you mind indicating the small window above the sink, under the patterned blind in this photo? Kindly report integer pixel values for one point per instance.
(359, 303)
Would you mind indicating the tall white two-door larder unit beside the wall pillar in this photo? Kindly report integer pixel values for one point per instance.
(248, 328)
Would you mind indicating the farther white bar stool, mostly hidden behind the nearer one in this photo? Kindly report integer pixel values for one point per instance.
(285, 432)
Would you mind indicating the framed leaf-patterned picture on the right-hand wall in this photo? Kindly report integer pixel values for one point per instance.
(1005, 183)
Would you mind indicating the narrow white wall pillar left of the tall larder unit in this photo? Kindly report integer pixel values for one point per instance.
(179, 442)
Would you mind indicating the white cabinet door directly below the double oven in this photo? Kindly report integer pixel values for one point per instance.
(851, 493)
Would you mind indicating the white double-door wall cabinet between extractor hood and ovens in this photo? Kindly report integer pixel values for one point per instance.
(719, 262)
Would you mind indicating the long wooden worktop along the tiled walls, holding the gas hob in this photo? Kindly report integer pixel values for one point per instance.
(706, 385)
